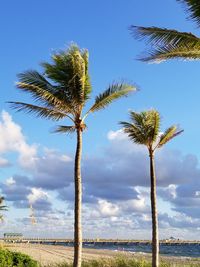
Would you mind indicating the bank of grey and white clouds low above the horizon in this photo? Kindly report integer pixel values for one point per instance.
(115, 187)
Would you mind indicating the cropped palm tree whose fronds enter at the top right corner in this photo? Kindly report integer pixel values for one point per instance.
(169, 43)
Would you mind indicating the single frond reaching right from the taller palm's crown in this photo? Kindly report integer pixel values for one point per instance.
(114, 92)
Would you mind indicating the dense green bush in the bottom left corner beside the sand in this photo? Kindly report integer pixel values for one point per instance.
(15, 259)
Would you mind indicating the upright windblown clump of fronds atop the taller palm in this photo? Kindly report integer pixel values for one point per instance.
(70, 70)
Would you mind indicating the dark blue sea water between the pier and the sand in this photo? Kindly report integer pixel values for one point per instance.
(170, 249)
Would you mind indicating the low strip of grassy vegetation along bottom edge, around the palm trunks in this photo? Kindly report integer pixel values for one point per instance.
(122, 262)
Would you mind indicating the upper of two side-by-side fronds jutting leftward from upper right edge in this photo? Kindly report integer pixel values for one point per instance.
(162, 36)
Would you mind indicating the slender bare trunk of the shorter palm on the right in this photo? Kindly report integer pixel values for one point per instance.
(155, 239)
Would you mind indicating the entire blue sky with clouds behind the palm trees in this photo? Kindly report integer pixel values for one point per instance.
(30, 33)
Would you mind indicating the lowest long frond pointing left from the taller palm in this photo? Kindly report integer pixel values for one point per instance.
(42, 112)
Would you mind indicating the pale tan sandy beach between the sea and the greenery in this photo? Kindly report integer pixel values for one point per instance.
(49, 254)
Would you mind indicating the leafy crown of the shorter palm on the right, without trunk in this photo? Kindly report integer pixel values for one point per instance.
(144, 129)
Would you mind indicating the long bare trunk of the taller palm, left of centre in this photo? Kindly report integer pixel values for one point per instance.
(78, 203)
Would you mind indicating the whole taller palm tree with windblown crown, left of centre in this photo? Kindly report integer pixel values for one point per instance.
(62, 92)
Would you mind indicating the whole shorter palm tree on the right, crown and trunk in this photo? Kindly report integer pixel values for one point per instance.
(144, 129)
